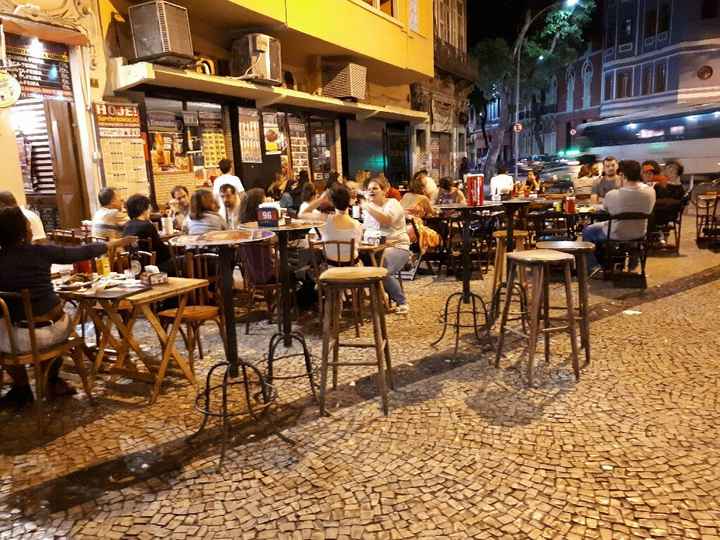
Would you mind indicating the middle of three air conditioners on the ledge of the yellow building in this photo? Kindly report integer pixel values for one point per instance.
(257, 57)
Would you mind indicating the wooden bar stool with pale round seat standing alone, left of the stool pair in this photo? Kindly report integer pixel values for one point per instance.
(334, 282)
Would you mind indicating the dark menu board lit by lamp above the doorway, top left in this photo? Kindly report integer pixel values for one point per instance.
(43, 67)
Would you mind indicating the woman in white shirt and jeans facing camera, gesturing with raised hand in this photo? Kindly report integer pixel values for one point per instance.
(386, 217)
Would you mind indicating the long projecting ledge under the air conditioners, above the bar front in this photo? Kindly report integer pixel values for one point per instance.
(127, 77)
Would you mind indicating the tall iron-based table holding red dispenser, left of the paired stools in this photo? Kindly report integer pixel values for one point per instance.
(466, 296)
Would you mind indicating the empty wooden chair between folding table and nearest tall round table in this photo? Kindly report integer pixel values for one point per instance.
(204, 305)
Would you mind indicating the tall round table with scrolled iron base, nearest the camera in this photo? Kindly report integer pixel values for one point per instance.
(225, 241)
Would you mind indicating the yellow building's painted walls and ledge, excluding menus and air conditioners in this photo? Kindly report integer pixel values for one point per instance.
(392, 39)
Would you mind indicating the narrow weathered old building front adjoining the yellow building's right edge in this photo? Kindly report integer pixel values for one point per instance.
(441, 145)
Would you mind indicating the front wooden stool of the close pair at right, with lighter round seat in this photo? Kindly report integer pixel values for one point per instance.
(540, 261)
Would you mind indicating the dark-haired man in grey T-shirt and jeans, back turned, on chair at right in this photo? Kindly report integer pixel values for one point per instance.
(633, 196)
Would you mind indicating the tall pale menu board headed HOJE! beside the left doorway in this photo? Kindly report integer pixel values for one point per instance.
(122, 147)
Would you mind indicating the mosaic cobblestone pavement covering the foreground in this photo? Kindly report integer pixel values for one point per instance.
(631, 451)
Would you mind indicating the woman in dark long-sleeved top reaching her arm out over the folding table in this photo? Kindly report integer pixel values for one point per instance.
(24, 265)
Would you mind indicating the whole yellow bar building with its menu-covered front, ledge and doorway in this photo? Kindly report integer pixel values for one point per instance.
(340, 100)
